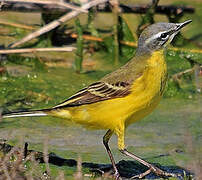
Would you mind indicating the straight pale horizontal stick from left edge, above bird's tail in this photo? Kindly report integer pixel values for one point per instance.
(31, 50)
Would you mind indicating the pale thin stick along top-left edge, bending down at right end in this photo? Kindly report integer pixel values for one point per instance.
(58, 3)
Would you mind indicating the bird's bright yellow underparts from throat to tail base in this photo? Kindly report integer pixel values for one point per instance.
(145, 95)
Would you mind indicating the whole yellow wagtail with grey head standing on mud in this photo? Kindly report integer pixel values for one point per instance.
(124, 96)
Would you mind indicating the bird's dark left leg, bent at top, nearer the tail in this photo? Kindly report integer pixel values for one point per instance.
(106, 138)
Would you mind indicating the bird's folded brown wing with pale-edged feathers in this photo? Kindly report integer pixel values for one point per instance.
(96, 92)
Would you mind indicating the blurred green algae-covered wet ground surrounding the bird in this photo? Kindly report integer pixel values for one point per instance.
(42, 80)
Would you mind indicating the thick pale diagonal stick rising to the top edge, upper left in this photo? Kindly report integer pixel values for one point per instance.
(56, 23)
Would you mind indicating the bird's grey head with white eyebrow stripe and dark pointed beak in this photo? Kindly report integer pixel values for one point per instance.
(158, 36)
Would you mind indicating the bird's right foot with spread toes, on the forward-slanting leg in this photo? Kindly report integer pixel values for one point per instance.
(156, 171)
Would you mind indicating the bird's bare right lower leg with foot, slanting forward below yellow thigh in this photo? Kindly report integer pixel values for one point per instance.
(151, 167)
